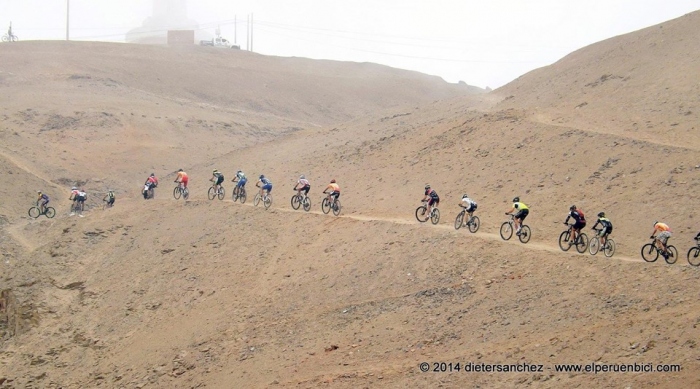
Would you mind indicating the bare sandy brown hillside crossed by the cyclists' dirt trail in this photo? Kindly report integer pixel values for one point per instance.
(175, 294)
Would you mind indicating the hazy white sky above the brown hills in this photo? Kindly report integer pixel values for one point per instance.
(484, 43)
